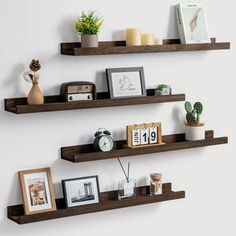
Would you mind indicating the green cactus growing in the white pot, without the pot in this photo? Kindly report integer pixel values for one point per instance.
(193, 113)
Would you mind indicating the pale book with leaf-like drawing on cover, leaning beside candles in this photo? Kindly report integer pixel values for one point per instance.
(192, 24)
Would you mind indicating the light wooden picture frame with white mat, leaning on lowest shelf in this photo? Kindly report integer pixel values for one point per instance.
(37, 191)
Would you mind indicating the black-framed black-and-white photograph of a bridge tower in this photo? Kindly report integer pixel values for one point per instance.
(81, 191)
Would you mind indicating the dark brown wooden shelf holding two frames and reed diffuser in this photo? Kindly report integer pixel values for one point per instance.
(108, 202)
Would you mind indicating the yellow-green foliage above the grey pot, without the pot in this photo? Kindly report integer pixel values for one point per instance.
(89, 23)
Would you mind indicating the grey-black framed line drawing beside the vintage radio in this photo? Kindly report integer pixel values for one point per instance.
(126, 82)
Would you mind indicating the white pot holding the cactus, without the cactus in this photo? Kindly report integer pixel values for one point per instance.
(194, 132)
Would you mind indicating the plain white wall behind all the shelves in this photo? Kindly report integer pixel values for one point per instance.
(34, 29)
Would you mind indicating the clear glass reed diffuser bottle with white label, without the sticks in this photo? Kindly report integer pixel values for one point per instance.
(126, 189)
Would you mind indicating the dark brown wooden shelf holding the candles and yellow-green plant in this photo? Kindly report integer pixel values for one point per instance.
(119, 47)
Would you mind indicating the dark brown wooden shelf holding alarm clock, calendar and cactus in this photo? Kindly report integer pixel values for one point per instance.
(173, 142)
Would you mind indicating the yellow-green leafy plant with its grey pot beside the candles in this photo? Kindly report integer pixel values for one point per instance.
(88, 26)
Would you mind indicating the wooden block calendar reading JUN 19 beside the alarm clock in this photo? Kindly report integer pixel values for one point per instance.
(144, 135)
